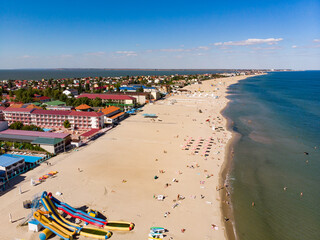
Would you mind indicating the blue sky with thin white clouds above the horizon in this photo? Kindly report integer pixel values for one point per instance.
(160, 34)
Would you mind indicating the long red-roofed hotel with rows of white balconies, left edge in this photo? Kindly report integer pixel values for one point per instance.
(54, 118)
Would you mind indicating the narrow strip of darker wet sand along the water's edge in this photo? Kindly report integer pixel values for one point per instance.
(227, 210)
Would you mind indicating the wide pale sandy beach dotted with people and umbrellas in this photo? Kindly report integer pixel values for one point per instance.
(178, 155)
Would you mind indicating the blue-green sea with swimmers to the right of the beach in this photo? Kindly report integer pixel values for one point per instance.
(276, 163)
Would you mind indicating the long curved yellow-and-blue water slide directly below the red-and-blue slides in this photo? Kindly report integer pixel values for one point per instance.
(65, 224)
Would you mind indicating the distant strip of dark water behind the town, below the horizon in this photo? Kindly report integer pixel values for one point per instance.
(38, 74)
